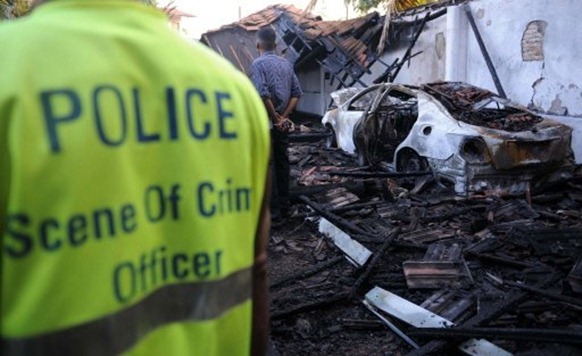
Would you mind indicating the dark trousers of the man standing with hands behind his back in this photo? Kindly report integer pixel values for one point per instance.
(280, 171)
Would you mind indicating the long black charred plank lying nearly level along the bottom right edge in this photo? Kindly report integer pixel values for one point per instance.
(565, 336)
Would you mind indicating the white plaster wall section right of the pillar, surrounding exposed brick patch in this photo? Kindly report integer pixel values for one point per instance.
(552, 85)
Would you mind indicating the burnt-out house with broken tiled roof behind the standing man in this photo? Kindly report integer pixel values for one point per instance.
(327, 55)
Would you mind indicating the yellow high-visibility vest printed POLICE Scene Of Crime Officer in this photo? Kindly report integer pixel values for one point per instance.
(132, 170)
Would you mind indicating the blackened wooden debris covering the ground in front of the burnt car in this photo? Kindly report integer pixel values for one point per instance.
(503, 268)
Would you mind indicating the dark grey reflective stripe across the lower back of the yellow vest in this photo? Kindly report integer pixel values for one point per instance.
(173, 303)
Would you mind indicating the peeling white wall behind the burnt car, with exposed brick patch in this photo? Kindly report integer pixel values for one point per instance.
(533, 45)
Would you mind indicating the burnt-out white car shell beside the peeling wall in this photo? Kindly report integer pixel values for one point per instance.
(468, 137)
